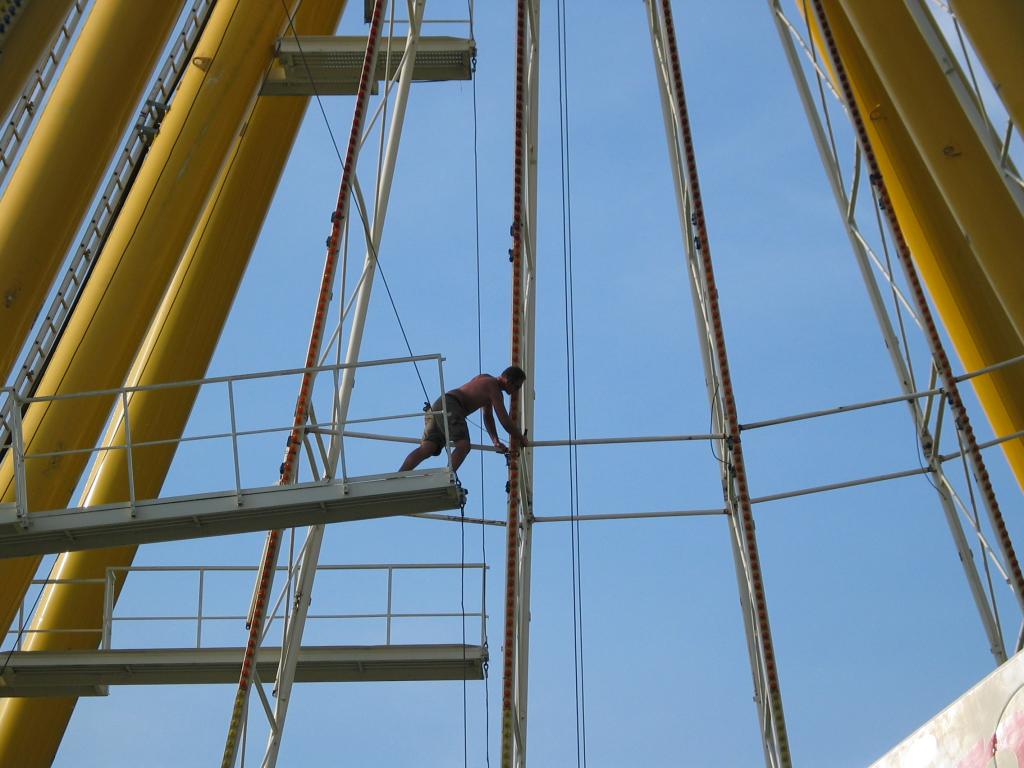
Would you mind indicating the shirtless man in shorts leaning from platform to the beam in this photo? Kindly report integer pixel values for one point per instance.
(481, 392)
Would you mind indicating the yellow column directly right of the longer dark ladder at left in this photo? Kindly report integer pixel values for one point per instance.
(139, 262)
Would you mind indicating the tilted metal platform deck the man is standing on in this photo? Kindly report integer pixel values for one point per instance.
(229, 513)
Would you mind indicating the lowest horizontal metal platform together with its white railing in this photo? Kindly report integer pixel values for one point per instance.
(114, 663)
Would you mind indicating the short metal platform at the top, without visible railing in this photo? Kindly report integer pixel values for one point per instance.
(333, 64)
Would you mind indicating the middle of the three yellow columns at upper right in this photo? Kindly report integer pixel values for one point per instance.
(969, 181)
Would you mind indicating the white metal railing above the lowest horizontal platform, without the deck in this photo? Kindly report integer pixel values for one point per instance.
(116, 578)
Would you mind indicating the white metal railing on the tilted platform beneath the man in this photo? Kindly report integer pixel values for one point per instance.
(25, 459)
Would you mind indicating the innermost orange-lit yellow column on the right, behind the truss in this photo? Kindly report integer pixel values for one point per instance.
(982, 332)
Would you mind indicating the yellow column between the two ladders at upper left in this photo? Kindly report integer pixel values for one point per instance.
(54, 183)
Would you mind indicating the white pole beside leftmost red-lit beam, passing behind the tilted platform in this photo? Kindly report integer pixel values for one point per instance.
(315, 537)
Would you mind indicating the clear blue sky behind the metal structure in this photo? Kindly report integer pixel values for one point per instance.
(874, 627)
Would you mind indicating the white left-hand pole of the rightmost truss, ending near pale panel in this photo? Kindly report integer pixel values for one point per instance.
(964, 550)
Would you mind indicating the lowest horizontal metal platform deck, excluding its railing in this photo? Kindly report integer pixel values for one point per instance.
(89, 673)
